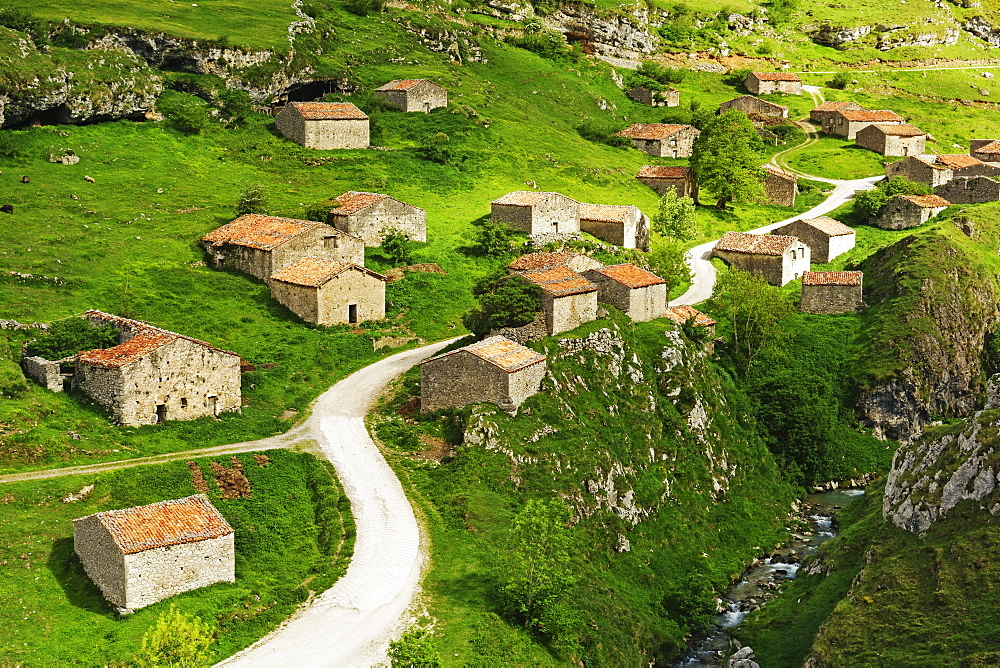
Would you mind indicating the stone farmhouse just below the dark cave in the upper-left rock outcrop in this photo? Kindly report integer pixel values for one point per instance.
(324, 125)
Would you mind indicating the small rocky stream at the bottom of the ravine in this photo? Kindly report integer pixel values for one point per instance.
(762, 580)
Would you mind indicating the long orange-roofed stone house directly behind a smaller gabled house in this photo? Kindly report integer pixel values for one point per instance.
(261, 245)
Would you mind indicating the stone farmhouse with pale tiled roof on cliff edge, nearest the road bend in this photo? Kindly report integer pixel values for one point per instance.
(495, 370)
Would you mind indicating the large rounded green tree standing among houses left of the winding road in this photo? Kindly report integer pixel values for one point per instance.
(726, 159)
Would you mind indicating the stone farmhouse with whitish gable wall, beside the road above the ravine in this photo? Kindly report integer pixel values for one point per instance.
(775, 258)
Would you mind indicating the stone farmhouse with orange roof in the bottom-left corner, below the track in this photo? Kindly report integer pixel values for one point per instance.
(138, 556)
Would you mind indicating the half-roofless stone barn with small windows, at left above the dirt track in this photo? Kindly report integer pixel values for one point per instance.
(155, 375)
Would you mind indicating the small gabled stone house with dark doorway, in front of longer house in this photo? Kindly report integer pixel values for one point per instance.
(330, 293)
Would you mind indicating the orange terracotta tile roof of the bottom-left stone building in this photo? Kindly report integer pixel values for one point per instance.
(162, 524)
